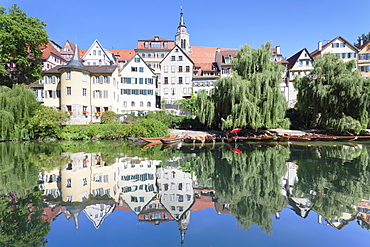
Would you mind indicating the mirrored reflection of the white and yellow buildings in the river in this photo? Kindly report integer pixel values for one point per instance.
(154, 191)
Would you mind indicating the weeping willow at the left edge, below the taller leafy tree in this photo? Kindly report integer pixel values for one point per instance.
(17, 106)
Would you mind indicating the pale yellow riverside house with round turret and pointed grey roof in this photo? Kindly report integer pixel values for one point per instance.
(84, 92)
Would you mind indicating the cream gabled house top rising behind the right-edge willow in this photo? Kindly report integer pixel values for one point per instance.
(339, 46)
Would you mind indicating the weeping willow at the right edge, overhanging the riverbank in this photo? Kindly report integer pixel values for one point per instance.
(334, 96)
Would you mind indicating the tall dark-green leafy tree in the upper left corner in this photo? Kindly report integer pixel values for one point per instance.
(21, 39)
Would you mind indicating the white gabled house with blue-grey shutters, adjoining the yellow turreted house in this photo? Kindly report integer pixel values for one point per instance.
(136, 87)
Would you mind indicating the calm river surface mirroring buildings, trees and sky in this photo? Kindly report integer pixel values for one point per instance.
(124, 194)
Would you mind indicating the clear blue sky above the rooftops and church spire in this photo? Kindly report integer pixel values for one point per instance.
(118, 24)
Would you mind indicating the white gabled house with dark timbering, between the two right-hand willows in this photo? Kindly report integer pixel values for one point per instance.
(300, 64)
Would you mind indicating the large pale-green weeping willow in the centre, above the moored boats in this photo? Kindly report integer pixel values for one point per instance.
(251, 97)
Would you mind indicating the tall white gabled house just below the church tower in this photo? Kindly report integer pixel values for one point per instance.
(176, 74)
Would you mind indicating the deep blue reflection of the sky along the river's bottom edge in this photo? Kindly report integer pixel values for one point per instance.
(206, 228)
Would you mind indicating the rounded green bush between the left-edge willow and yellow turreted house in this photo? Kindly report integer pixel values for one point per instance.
(47, 122)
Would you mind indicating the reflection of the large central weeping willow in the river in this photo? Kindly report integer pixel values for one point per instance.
(249, 181)
